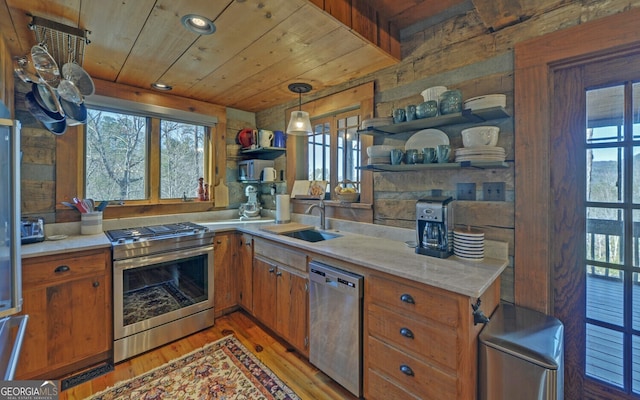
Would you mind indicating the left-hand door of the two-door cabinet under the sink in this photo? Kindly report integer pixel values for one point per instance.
(264, 291)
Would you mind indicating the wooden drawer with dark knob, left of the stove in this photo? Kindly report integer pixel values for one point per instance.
(45, 270)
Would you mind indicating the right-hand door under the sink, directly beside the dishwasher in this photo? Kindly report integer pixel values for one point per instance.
(292, 308)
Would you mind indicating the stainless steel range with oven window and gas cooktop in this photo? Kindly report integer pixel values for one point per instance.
(162, 285)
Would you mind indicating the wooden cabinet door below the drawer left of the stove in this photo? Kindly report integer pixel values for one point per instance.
(67, 324)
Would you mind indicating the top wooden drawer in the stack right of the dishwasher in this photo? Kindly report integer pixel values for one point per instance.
(418, 302)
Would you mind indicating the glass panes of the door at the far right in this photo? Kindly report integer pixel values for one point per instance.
(612, 322)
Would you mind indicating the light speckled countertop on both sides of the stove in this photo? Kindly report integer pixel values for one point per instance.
(381, 249)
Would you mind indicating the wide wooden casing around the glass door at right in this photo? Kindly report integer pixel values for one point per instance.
(533, 280)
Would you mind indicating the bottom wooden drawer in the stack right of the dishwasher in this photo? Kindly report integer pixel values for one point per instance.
(424, 380)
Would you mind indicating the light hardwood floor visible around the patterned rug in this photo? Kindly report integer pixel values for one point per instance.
(305, 379)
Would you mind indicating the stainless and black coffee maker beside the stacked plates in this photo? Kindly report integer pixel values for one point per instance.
(434, 226)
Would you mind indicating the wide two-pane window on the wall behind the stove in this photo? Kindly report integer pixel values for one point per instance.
(122, 163)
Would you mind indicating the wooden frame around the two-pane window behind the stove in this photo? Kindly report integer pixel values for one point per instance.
(70, 151)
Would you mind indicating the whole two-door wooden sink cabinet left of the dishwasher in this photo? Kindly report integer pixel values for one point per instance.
(280, 292)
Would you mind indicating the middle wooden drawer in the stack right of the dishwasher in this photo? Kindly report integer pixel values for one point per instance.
(429, 341)
